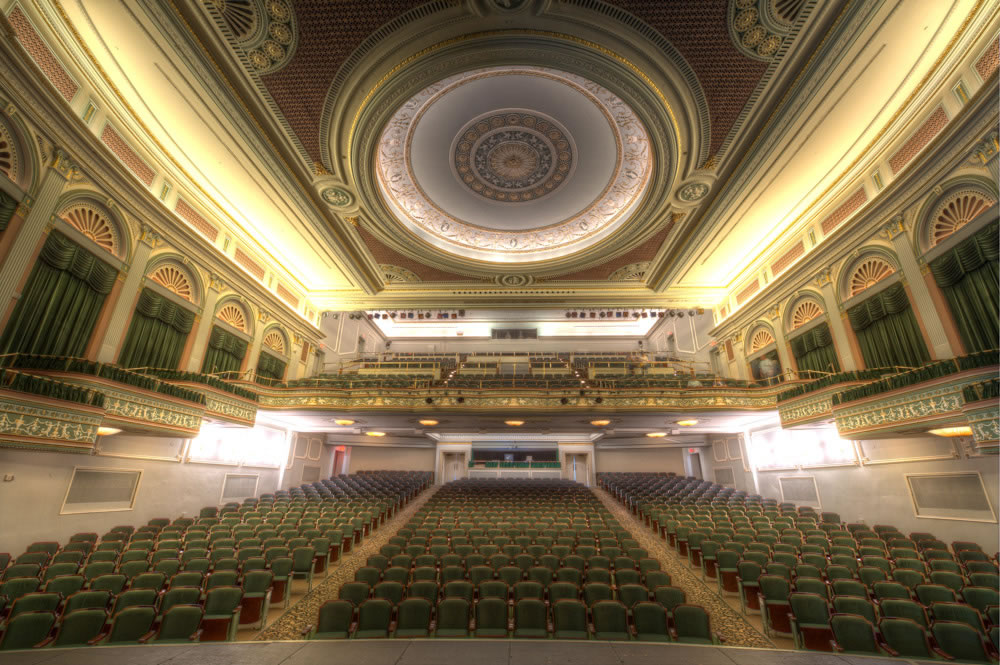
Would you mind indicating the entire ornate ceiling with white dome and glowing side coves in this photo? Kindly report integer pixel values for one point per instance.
(527, 152)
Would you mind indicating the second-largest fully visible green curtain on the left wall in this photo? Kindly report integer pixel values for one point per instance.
(157, 333)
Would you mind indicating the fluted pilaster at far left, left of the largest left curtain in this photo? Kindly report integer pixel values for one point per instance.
(33, 228)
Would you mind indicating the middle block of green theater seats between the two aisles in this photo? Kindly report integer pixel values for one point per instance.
(513, 558)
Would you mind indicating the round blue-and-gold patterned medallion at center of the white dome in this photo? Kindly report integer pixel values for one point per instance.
(513, 156)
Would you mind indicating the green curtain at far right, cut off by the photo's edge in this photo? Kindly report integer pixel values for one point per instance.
(970, 281)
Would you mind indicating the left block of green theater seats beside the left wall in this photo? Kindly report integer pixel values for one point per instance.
(187, 579)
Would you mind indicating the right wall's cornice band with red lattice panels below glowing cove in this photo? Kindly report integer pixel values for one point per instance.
(949, 151)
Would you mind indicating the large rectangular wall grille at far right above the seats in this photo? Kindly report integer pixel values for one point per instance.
(950, 496)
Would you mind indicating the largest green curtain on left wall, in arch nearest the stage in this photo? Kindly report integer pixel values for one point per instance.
(61, 301)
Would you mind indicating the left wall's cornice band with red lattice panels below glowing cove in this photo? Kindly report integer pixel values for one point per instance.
(52, 116)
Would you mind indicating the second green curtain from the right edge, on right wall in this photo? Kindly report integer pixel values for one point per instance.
(887, 331)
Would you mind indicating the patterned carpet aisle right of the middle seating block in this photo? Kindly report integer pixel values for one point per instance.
(729, 623)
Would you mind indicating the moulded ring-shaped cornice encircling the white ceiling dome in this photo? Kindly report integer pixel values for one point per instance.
(517, 47)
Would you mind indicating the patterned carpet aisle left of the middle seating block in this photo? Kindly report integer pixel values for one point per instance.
(303, 613)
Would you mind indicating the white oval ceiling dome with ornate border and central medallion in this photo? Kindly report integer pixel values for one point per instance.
(574, 159)
